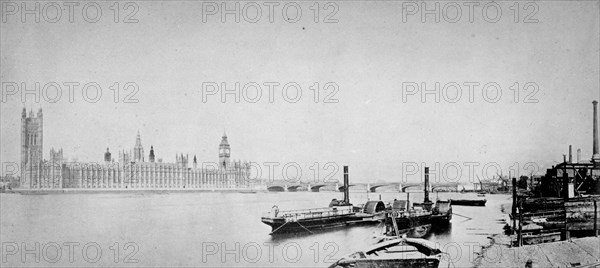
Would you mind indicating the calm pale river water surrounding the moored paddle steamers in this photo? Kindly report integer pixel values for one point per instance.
(205, 229)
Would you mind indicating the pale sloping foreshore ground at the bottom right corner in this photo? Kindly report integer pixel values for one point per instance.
(578, 252)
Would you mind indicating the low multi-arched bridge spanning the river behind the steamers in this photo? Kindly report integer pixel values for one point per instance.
(282, 186)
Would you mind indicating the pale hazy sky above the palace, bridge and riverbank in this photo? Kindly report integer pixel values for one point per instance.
(369, 53)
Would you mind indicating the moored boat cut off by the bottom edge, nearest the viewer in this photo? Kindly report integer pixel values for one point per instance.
(398, 253)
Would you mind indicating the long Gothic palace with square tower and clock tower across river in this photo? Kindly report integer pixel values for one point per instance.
(131, 171)
